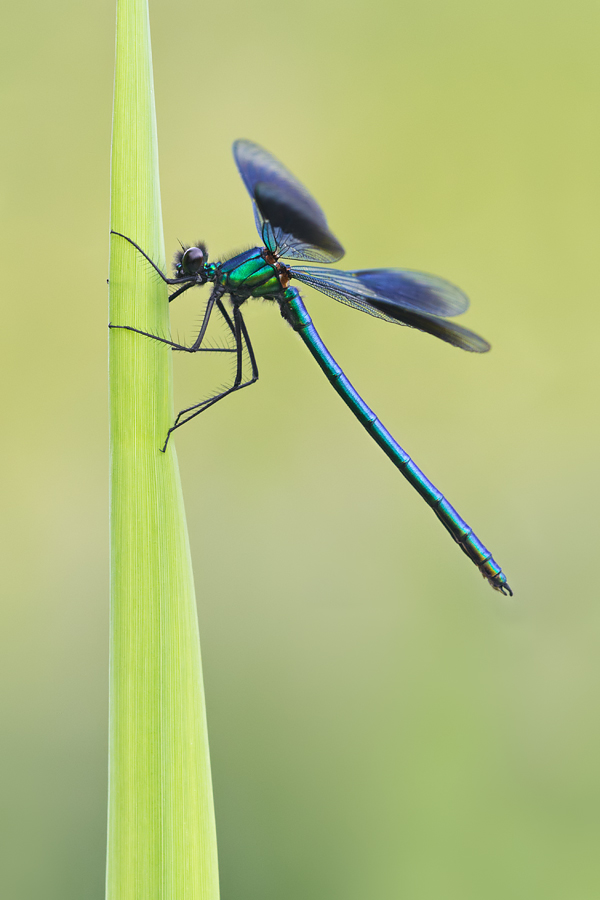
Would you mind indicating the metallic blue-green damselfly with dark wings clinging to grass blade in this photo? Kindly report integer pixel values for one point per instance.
(292, 226)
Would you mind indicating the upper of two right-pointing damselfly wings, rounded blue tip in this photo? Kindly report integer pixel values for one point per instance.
(415, 290)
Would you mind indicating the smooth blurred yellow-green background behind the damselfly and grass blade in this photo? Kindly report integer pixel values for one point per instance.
(382, 724)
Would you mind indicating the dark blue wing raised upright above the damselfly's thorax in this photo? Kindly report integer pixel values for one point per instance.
(288, 219)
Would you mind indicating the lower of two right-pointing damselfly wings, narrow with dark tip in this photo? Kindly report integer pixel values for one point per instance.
(348, 288)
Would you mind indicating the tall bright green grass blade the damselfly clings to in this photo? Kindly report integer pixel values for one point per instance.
(161, 836)
